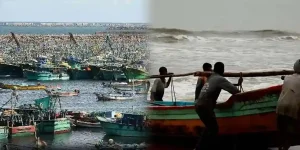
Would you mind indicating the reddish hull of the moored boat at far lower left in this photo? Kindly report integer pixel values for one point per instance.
(22, 131)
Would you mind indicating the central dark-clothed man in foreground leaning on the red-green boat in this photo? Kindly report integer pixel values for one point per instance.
(206, 103)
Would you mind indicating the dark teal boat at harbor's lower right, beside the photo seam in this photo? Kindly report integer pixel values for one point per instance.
(129, 125)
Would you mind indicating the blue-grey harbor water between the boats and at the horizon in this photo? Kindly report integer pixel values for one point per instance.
(86, 101)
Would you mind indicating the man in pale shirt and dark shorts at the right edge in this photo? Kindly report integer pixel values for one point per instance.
(288, 108)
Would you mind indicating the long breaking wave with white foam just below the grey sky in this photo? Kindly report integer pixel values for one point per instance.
(176, 35)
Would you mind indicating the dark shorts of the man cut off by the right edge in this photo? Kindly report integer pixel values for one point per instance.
(287, 124)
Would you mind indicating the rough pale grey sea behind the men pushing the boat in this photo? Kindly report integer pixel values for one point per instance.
(182, 51)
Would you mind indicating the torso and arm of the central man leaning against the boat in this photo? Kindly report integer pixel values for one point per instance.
(212, 89)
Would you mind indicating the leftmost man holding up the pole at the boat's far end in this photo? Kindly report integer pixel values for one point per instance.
(159, 85)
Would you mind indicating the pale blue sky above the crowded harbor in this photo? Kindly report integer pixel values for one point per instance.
(123, 11)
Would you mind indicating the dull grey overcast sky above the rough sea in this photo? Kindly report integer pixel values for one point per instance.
(223, 15)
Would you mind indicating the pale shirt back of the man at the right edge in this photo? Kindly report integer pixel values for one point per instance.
(289, 100)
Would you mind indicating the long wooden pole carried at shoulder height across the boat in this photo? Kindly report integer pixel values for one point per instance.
(232, 74)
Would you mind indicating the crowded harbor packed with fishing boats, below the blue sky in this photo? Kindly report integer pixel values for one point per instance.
(62, 89)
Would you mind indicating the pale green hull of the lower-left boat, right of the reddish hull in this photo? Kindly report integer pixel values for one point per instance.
(57, 126)
